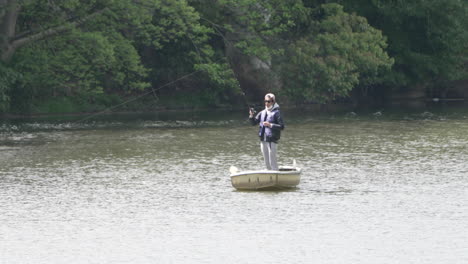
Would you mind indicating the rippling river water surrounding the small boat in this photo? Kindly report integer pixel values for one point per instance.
(155, 188)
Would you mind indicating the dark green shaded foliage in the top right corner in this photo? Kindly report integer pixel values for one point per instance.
(428, 39)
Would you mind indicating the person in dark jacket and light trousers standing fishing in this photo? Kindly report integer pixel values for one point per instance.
(270, 126)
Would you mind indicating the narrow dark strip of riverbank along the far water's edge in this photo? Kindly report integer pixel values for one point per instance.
(346, 110)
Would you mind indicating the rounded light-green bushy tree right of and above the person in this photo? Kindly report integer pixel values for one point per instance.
(340, 51)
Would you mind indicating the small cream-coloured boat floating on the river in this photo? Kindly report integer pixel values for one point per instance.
(285, 177)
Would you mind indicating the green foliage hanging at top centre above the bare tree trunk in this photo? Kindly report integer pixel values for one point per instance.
(255, 27)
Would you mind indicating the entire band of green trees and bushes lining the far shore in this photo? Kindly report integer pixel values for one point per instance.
(91, 56)
